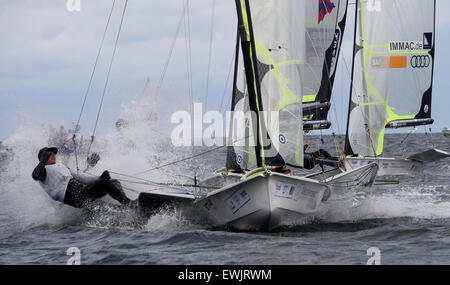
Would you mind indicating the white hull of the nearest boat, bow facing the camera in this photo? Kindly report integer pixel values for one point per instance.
(265, 200)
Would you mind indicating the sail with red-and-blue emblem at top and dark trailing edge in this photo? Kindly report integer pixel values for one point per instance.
(325, 24)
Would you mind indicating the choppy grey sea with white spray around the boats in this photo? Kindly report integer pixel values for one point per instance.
(407, 223)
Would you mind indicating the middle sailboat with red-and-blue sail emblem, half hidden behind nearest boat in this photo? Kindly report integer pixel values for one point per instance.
(319, 70)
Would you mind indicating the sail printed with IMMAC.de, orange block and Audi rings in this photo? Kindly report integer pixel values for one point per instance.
(392, 73)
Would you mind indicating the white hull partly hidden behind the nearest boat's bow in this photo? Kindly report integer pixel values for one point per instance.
(340, 180)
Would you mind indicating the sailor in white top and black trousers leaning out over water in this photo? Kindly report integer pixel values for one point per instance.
(60, 184)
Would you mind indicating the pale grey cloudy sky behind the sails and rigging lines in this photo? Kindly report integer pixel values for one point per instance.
(47, 54)
